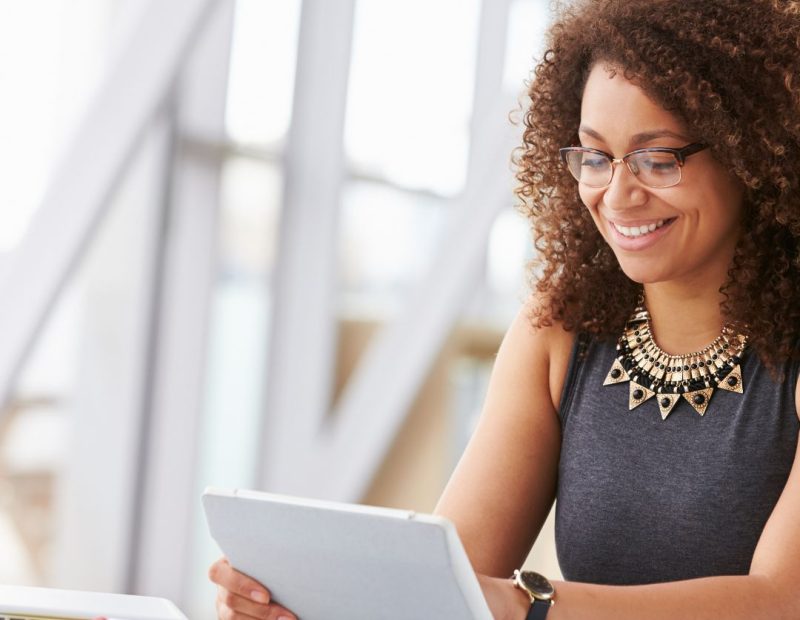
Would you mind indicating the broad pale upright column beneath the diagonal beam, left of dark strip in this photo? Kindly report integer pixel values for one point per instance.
(117, 295)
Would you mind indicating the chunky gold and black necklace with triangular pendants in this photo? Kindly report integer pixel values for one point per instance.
(653, 372)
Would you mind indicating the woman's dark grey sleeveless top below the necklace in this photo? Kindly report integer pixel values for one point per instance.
(645, 500)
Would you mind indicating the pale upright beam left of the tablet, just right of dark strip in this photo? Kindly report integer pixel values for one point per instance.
(169, 491)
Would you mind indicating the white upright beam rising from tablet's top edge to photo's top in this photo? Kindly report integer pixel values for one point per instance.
(303, 338)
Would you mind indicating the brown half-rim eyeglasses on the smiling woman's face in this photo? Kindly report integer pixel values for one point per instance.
(657, 167)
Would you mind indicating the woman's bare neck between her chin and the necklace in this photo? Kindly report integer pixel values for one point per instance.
(683, 319)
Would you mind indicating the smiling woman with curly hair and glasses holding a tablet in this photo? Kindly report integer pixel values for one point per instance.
(651, 382)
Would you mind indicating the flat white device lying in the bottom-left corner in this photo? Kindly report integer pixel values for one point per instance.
(24, 603)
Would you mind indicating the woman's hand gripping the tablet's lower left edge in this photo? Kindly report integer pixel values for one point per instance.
(242, 598)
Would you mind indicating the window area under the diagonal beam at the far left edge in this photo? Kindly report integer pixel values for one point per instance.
(34, 432)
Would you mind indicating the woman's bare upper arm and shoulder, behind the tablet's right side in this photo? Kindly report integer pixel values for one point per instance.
(502, 490)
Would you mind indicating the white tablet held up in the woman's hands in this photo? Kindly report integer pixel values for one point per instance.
(334, 561)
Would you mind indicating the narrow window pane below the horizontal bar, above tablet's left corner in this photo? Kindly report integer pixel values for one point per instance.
(238, 344)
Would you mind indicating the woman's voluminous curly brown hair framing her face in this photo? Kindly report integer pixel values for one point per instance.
(730, 70)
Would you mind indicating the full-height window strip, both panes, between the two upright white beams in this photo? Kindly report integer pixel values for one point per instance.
(259, 107)
